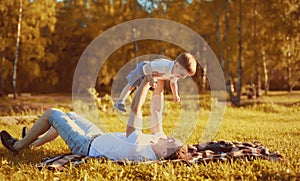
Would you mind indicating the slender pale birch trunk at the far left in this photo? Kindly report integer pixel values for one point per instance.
(14, 81)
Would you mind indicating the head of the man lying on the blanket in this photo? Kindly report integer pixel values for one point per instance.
(169, 149)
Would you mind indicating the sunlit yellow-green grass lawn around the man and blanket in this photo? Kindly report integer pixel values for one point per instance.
(276, 126)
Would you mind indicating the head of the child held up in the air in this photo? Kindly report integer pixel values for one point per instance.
(185, 65)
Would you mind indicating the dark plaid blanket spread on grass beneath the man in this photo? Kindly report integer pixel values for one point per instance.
(203, 152)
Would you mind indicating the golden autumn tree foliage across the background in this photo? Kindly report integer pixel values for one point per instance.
(54, 35)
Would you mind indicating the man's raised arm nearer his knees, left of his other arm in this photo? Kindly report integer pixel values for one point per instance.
(135, 115)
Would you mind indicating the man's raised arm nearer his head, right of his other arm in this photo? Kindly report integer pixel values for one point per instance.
(156, 107)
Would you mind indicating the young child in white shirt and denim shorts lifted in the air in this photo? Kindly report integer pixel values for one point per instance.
(158, 69)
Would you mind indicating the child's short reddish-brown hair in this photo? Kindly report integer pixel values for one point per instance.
(188, 62)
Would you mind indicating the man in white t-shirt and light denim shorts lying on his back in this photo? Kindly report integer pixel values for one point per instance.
(83, 137)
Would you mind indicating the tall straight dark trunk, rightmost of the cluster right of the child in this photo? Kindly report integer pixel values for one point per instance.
(239, 83)
